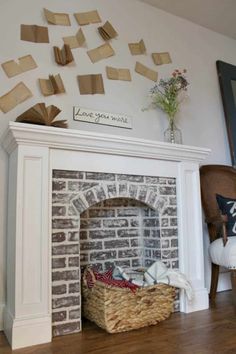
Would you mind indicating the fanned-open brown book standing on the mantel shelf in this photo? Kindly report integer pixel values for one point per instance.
(40, 114)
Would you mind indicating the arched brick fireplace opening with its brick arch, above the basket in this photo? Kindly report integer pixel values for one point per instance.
(111, 237)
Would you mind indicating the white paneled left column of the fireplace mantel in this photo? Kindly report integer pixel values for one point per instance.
(27, 315)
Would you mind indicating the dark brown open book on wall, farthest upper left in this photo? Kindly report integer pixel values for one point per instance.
(34, 33)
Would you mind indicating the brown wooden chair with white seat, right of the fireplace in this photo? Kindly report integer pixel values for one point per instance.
(219, 179)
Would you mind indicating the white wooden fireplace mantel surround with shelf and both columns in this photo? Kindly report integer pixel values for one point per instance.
(34, 151)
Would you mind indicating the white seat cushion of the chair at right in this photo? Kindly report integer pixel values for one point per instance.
(224, 256)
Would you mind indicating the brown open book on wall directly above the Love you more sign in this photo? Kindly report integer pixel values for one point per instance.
(90, 84)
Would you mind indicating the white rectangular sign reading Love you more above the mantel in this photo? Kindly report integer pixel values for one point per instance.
(104, 118)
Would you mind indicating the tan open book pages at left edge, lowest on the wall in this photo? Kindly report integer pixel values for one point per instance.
(17, 95)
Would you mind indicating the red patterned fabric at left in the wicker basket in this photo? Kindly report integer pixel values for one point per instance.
(92, 275)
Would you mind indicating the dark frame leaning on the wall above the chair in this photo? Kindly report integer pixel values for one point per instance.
(227, 80)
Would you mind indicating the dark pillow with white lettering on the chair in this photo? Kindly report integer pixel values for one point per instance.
(227, 207)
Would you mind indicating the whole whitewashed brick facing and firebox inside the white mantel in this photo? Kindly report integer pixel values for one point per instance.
(105, 219)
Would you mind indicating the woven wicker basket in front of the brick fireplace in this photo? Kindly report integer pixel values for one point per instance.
(118, 309)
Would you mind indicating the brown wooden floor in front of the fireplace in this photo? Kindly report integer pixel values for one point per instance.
(211, 331)
